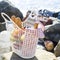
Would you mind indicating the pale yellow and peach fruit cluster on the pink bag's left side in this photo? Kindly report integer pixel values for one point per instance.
(15, 34)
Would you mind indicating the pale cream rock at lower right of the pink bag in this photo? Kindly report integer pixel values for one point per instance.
(45, 55)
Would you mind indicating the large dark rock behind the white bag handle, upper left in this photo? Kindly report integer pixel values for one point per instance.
(9, 10)
